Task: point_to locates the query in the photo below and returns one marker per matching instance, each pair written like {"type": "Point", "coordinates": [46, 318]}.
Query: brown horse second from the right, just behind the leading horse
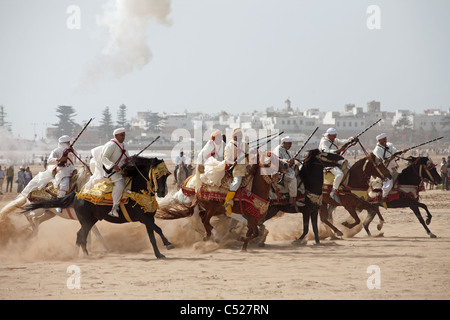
{"type": "Point", "coordinates": [358, 182]}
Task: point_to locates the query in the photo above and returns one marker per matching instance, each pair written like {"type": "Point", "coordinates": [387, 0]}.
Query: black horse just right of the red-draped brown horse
{"type": "Point", "coordinates": [311, 174]}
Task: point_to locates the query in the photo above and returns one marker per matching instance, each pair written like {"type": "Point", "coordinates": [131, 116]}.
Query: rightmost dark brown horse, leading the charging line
{"type": "Point", "coordinates": [405, 192]}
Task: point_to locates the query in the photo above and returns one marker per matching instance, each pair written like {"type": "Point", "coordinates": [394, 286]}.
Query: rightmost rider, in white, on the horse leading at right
{"type": "Point", "coordinates": [386, 151]}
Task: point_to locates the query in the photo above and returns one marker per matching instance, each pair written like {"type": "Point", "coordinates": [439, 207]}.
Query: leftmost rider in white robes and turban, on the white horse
{"type": "Point", "coordinates": [63, 160]}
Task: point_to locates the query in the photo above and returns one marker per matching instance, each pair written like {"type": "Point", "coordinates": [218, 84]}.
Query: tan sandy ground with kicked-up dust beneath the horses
{"type": "Point", "coordinates": [402, 263]}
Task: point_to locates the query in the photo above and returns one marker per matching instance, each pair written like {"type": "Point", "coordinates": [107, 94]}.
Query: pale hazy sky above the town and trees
{"type": "Point", "coordinates": [233, 55]}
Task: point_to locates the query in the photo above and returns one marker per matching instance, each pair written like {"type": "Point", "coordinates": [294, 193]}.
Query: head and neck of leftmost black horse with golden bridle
{"type": "Point", "coordinates": [148, 174]}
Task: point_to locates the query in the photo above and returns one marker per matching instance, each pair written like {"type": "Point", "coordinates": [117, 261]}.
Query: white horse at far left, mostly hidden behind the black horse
{"type": "Point", "coordinates": [36, 217]}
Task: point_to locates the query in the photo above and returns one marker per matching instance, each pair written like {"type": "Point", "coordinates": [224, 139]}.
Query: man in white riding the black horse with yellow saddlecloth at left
{"type": "Point", "coordinates": [113, 157]}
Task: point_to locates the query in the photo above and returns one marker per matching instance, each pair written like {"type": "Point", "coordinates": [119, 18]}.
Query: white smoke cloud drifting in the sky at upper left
{"type": "Point", "coordinates": [126, 49]}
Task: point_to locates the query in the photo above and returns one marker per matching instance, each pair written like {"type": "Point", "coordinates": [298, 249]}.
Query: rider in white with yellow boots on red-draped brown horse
{"type": "Point", "coordinates": [235, 154]}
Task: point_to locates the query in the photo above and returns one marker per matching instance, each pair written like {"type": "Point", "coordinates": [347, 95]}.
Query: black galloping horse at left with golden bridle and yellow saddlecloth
{"type": "Point", "coordinates": [149, 174]}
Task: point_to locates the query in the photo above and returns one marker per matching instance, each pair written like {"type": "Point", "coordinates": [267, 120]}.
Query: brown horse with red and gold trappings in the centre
{"type": "Point", "coordinates": [251, 204]}
